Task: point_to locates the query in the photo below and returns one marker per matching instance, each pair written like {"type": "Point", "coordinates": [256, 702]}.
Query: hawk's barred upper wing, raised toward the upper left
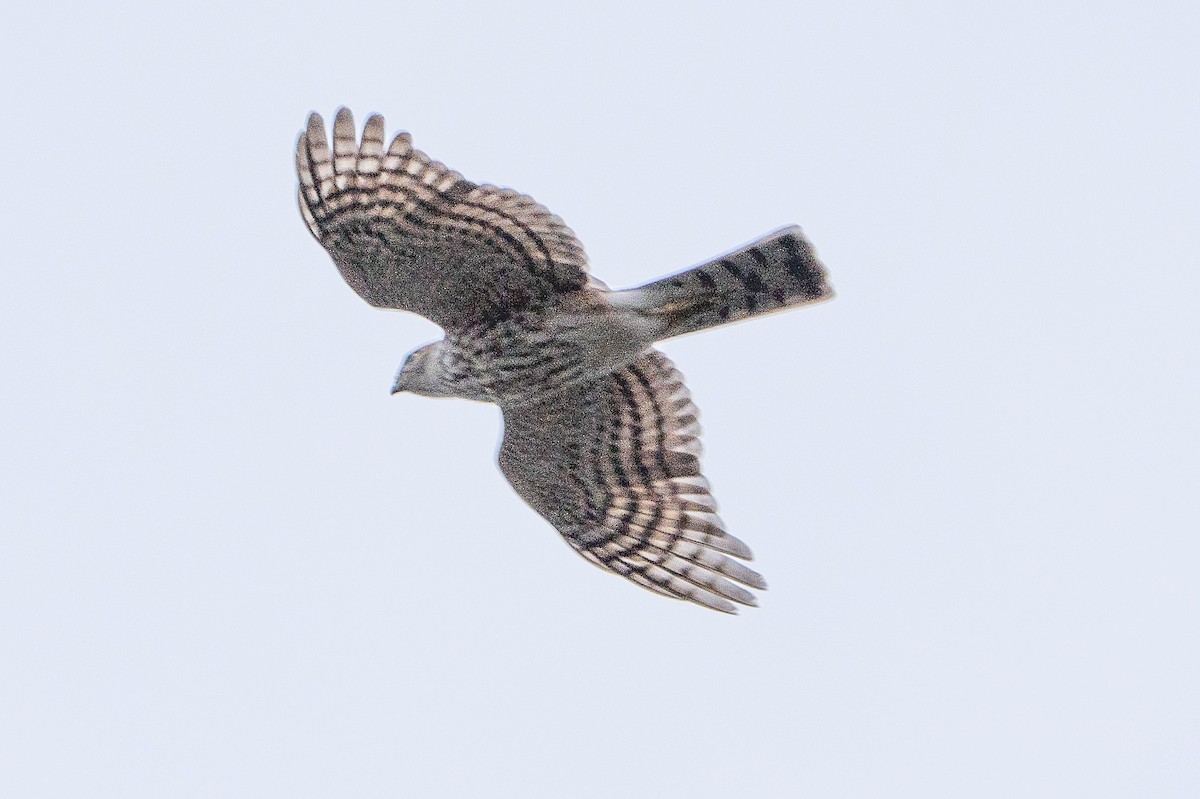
{"type": "Point", "coordinates": [409, 233]}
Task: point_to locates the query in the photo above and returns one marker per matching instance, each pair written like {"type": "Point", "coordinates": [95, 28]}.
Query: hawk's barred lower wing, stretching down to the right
{"type": "Point", "coordinates": [615, 466]}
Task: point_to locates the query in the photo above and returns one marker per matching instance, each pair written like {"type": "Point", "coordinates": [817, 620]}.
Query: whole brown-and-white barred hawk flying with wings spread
{"type": "Point", "coordinates": [601, 434]}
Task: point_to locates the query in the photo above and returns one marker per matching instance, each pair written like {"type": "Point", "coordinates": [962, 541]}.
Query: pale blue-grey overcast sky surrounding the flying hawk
{"type": "Point", "coordinates": [233, 566]}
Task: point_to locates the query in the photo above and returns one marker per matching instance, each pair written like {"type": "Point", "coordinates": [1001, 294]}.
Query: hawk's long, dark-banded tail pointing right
{"type": "Point", "coordinates": [778, 272]}
